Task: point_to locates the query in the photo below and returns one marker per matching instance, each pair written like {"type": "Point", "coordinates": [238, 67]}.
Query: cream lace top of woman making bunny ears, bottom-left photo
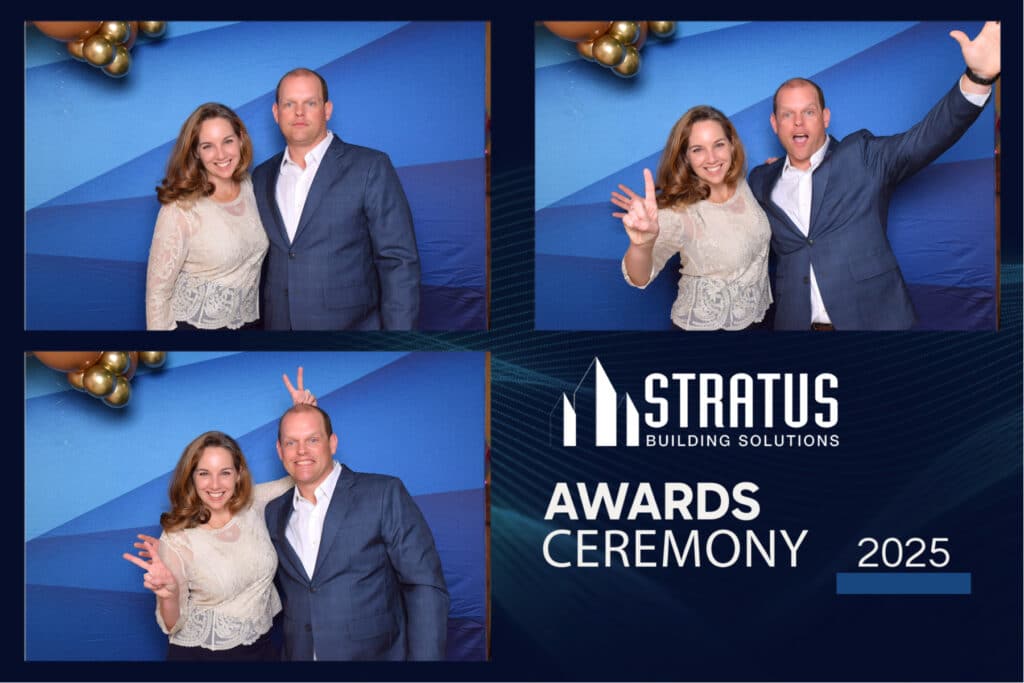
{"type": "Point", "coordinates": [226, 578]}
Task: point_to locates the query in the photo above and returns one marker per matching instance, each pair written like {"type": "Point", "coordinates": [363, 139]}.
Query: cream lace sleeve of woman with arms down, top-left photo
{"type": "Point", "coordinates": [167, 253]}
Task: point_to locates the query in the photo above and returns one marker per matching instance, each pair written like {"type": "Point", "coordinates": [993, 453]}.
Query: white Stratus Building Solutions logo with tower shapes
{"type": "Point", "coordinates": [706, 410]}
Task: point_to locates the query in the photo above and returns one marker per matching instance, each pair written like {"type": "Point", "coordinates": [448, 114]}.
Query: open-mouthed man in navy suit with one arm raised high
{"type": "Point", "coordinates": [828, 200]}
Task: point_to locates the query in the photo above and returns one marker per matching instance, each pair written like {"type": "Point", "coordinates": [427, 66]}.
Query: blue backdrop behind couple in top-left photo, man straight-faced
{"type": "Point", "coordinates": [98, 148]}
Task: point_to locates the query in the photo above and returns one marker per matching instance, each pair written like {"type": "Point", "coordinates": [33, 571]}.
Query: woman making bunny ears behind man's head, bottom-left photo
{"type": "Point", "coordinates": [212, 570]}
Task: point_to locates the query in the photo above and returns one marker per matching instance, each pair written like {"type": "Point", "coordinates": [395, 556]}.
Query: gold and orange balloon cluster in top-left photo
{"type": "Point", "coordinates": [103, 45]}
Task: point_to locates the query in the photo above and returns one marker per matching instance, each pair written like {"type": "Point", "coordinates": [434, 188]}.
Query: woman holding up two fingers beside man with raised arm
{"type": "Point", "coordinates": [702, 209]}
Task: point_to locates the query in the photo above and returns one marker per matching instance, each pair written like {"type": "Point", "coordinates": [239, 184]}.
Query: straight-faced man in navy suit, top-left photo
{"type": "Point", "coordinates": [344, 253]}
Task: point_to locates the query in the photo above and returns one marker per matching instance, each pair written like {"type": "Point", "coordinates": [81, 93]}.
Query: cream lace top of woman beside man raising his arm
{"type": "Point", "coordinates": [723, 249]}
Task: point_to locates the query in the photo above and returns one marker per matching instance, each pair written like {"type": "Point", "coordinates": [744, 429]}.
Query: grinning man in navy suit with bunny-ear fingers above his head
{"type": "Point", "coordinates": [359, 572]}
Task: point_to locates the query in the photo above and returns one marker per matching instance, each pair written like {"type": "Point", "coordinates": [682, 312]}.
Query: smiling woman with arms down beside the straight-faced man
{"type": "Point", "coordinates": [208, 245]}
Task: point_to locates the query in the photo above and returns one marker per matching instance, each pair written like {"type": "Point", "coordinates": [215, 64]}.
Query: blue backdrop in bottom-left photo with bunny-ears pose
{"type": "Point", "coordinates": [105, 475]}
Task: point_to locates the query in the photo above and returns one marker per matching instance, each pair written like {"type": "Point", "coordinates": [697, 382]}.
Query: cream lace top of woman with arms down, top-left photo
{"type": "Point", "coordinates": [205, 264]}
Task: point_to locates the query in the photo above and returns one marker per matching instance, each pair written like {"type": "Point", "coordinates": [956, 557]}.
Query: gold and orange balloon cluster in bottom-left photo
{"type": "Point", "coordinates": [105, 375]}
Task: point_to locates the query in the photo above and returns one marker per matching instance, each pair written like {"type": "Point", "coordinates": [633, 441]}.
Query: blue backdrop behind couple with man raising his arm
{"type": "Point", "coordinates": [594, 131]}
